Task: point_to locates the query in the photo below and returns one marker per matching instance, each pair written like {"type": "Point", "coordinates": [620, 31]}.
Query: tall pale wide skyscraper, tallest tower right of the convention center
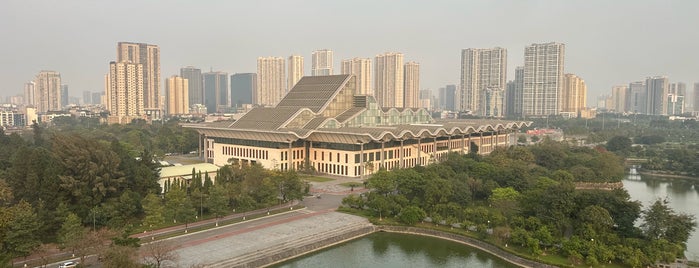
{"type": "Point", "coordinates": [543, 79]}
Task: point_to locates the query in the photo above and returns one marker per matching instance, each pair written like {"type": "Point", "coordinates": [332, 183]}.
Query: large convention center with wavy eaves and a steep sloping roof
{"type": "Point", "coordinates": [323, 125]}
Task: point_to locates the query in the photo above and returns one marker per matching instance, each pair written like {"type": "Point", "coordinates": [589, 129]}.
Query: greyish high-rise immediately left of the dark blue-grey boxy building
{"type": "Point", "coordinates": [216, 92]}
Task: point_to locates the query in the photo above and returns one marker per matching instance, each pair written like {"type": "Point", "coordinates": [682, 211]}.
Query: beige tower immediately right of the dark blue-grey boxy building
{"type": "Point", "coordinates": [270, 81]}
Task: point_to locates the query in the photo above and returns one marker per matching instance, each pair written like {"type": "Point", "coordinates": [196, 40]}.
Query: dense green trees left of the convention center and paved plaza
{"type": "Point", "coordinates": [78, 184]}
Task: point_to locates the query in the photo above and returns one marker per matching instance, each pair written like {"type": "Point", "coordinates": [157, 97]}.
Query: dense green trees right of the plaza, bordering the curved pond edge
{"type": "Point", "coordinates": [526, 196]}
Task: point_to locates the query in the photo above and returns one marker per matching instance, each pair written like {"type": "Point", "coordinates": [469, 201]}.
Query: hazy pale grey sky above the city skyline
{"type": "Point", "coordinates": [607, 42]}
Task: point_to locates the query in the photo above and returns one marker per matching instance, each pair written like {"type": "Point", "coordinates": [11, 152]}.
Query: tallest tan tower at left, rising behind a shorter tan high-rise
{"type": "Point", "coordinates": [149, 56]}
